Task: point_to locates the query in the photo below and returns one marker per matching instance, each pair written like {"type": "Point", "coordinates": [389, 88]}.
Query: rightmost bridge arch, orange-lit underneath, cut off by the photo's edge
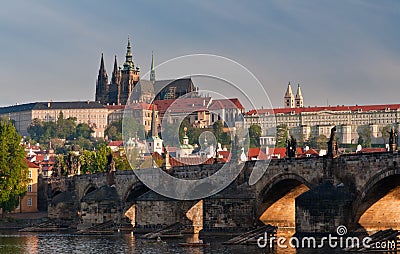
{"type": "Point", "coordinates": [378, 203]}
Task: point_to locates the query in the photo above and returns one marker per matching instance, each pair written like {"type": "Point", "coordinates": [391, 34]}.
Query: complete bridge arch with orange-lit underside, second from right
{"type": "Point", "coordinates": [276, 201]}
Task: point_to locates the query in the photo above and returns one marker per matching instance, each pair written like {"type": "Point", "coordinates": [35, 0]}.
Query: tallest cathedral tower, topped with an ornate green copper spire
{"type": "Point", "coordinates": [129, 76]}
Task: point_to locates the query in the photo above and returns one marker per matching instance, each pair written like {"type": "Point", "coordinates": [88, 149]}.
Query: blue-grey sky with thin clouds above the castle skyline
{"type": "Point", "coordinates": [341, 52]}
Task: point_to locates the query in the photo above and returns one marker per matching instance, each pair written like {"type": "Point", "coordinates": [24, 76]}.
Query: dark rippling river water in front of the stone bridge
{"type": "Point", "coordinates": [42, 243]}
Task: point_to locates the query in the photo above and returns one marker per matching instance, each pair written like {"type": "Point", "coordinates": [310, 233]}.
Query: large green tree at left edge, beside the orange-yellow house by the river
{"type": "Point", "coordinates": [13, 168]}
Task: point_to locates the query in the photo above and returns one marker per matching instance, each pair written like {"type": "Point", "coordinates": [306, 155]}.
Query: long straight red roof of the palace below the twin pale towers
{"type": "Point", "coordinates": [324, 108]}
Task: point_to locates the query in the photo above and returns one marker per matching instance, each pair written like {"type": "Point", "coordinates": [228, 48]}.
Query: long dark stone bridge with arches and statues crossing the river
{"type": "Point", "coordinates": [310, 194]}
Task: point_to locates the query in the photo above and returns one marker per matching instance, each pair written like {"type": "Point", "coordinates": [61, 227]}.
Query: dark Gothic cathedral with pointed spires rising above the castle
{"type": "Point", "coordinates": [125, 80]}
